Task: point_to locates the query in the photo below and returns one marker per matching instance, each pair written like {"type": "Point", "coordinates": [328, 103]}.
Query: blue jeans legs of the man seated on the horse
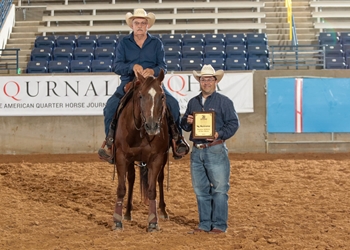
{"type": "Point", "coordinates": [113, 103]}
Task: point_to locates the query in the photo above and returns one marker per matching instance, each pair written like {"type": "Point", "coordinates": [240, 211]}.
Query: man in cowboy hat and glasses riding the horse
{"type": "Point", "coordinates": [140, 53]}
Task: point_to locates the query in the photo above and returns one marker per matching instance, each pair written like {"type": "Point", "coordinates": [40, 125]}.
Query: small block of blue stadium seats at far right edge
{"type": "Point", "coordinates": [337, 51]}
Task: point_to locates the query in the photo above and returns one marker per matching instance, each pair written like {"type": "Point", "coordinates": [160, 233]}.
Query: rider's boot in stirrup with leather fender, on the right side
{"type": "Point", "coordinates": [178, 143]}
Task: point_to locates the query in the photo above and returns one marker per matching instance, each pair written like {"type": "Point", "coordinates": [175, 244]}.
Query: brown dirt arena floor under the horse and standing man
{"type": "Point", "coordinates": [276, 201]}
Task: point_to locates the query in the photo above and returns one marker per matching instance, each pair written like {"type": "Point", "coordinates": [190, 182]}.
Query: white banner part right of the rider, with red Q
{"type": "Point", "coordinates": [237, 86]}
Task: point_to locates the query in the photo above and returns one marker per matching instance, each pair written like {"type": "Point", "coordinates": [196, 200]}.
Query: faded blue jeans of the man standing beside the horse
{"type": "Point", "coordinates": [210, 173]}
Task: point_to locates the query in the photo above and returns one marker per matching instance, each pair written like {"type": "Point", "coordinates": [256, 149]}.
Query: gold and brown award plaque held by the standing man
{"type": "Point", "coordinates": [203, 126]}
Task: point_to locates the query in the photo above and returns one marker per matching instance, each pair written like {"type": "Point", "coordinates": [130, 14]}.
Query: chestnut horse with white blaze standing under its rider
{"type": "Point", "coordinates": [142, 135]}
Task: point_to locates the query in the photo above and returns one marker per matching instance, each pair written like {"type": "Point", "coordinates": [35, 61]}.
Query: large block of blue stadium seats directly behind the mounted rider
{"type": "Point", "coordinates": [187, 52]}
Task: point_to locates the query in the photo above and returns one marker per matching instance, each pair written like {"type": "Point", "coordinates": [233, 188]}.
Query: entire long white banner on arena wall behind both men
{"type": "Point", "coordinates": [52, 95]}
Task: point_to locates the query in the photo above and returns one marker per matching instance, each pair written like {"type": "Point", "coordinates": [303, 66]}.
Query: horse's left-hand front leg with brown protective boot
{"type": "Point", "coordinates": [118, 209]}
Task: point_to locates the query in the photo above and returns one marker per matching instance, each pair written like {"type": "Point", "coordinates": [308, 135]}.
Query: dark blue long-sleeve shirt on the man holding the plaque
{"type": "Point", "coordinates": [226, 118]}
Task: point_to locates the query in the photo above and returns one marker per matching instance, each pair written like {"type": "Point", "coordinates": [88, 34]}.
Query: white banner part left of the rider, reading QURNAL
{"type": "Point", "coordinates": [55, 95]}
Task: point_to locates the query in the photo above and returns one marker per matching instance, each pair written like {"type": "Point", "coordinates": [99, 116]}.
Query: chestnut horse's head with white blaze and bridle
{"type": "Point", "coordinates": [152, 103]}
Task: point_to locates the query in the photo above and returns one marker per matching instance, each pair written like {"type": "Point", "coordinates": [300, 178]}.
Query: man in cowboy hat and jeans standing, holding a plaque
{"type": "Point", "coordinates": [211, 118]}
